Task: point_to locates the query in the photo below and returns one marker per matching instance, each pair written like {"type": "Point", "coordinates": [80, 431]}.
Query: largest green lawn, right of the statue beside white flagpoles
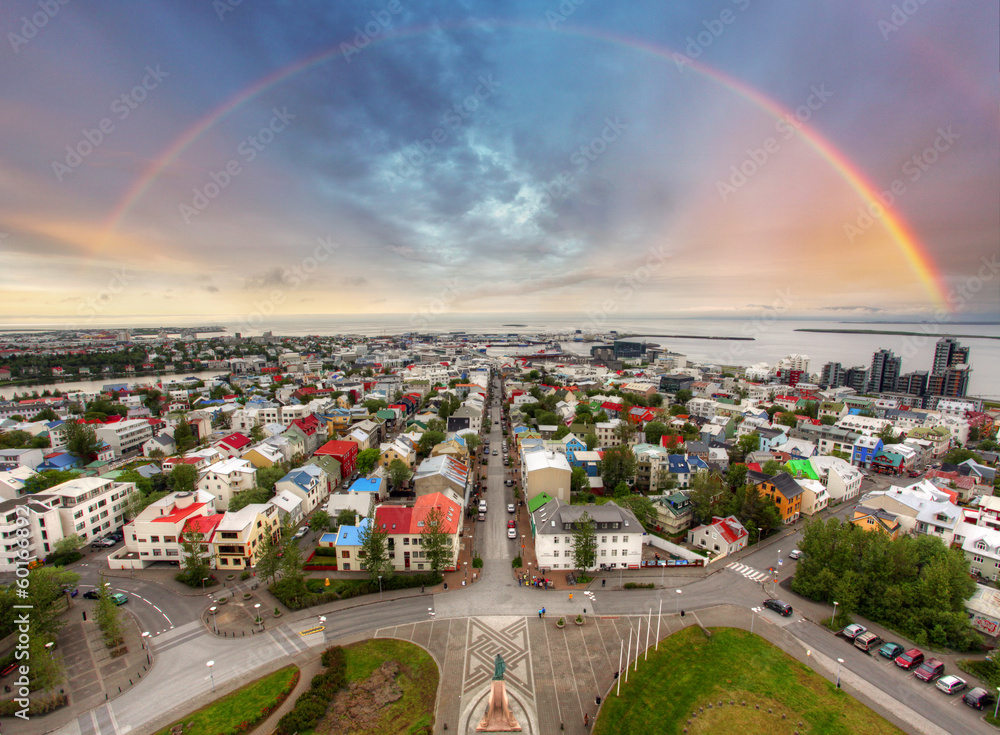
{"type": "Point", "coordinates": [690, 671]}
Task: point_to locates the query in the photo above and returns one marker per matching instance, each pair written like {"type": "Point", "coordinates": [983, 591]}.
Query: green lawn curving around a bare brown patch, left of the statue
{"type": "Point", "coordinates": [418, 679]}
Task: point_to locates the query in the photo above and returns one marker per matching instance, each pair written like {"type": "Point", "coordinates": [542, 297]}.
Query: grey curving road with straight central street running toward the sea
{"type": "Point", "coordinates": [180, 679]}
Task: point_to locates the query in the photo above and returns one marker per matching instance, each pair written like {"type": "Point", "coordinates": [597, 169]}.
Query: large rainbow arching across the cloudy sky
{"type": "Point", "coordinates": [908, 244]}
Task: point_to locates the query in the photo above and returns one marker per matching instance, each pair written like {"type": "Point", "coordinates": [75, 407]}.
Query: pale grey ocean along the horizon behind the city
{"type": "Point", "coordinates": [772, 337]}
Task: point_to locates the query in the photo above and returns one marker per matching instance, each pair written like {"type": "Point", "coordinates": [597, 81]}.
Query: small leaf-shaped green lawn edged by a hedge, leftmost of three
{"type": "Point", "coordinates": [238, 711]}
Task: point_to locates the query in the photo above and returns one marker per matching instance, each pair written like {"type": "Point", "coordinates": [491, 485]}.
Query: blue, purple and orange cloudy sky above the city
{"type": "Point", "coordinates": [170, 159]}
